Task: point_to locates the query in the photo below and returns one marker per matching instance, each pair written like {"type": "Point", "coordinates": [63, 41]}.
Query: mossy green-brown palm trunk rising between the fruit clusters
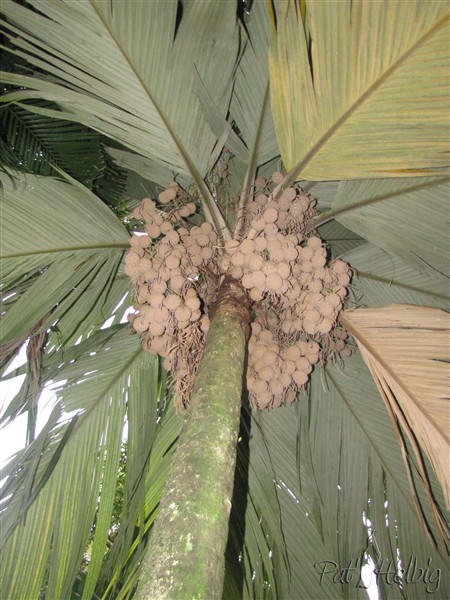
{"type": "Point", "coordinates": [186, 555]}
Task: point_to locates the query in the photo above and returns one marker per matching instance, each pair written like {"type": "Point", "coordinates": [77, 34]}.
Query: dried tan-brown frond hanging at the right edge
{"type": "Point", "coordinates": [406, 350]}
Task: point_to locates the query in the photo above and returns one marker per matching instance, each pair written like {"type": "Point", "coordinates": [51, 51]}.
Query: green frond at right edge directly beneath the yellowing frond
{"type": "Point", "coordinates": [407, 217]}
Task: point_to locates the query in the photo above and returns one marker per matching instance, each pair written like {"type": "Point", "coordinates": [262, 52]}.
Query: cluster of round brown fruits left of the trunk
{"type": "Point", "coordinates": [171, 268]}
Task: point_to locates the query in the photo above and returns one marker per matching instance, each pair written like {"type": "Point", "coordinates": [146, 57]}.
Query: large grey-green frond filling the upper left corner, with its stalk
{"type": "Point", "coordinates": [154, 109]}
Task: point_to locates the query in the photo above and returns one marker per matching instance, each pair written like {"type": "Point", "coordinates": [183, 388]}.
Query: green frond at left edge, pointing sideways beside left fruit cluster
{"type": "Point", "coordinates": [68, 249]}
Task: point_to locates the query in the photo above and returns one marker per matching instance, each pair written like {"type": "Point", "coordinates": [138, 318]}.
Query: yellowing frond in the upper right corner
{"type": "Point", "coordinates": [360, 89]}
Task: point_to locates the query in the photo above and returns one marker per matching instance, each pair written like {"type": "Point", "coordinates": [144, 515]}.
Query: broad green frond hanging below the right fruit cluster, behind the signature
{"type": "Point", "coordinates": [336, 459]}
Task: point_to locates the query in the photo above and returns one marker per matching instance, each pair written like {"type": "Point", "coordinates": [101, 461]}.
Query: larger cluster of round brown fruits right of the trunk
{"type": "Point", "coordinates": [297, 296]}
